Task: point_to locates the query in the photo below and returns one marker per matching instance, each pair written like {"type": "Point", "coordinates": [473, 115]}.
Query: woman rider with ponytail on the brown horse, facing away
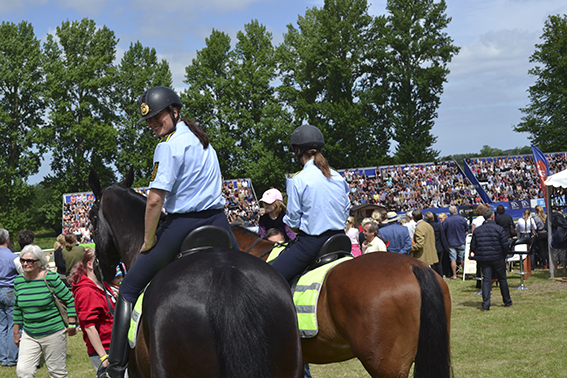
{"type": "Point", "coordinates": [317, 205]}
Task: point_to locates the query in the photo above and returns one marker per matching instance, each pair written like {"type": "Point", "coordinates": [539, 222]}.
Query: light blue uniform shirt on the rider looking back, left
{"type": "Point", "coordinates": [190, 174]}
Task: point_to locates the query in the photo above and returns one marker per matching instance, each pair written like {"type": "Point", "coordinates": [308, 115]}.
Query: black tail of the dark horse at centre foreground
{"type": "Point", "coordinates": [239, 325]}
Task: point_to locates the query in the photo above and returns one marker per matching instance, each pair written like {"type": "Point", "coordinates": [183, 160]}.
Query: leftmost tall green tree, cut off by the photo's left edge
{"type": "Point", "coordinates": [21, 110]}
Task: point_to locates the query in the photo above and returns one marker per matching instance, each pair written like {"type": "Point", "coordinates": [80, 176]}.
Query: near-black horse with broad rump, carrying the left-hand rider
{"type": "Point", "coordinates": [213, 313]}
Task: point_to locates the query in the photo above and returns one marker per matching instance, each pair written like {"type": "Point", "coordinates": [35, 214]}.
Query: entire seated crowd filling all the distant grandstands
{"type": "Point", "coordinates": [399, 188]}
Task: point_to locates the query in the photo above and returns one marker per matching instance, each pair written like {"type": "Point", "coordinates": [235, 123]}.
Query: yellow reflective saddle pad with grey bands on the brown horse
{"type": "Point", "coordinates": [306, 295]}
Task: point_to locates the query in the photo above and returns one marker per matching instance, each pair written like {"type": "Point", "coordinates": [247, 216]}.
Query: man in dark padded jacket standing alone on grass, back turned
{"type": "Point", "coordinates": [489, 247]}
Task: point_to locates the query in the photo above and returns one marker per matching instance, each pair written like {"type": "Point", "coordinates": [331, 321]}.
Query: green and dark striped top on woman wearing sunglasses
{"type": "Point", "coordinates": [35, 308]}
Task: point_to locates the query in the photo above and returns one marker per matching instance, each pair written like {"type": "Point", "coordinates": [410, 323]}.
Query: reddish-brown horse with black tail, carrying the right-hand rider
{"type": "Point", "coordinates": [386, 309]}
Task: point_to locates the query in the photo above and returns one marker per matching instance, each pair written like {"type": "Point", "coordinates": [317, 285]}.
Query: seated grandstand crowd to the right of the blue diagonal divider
{"type": "Point", "coordinates": [511, 178]}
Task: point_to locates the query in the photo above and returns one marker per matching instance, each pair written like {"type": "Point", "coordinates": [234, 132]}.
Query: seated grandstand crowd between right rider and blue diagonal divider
{"type": "Point", "coordinates": [406, 187]}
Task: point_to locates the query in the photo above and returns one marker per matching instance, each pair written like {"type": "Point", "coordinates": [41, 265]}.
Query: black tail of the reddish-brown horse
{"type": "Point", "coordinates": [433, 359]}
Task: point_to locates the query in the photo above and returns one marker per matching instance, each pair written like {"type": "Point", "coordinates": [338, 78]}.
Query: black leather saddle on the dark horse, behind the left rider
{"type": "Point", "coordinates": [205, 237]}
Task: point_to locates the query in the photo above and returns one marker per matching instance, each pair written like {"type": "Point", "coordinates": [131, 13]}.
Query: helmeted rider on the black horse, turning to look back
{"type": "Point", "coordinates": [186, 172]}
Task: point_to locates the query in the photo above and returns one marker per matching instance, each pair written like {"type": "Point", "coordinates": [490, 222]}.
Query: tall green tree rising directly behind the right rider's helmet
{"type": "Point", "coordinates": [333, 74]}
